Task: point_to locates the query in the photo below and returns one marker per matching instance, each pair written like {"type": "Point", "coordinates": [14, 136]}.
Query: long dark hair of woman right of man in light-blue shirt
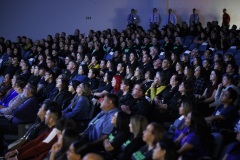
{"type": "Point", "coordinates": [123, 120]}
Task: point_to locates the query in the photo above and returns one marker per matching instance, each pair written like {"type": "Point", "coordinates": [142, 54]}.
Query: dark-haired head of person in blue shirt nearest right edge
{"type": "Point", "coordinates": [229, 96]}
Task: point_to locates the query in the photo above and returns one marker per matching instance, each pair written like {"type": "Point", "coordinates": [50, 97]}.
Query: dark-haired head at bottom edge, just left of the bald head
{"type": "Point", "coordinates": [77, 150]}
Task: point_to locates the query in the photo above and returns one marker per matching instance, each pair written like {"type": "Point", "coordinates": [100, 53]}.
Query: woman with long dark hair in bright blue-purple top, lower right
{"type": "Point", "coordinates": [197, 139]}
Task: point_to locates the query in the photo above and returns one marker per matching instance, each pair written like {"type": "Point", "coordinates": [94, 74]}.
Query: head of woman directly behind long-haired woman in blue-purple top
{"type": "Point", "coordinates": [186, 106]}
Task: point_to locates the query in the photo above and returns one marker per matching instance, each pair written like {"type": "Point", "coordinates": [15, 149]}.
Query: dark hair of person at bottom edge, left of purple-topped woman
{"type": "Point", "coordinates": [170, 148]}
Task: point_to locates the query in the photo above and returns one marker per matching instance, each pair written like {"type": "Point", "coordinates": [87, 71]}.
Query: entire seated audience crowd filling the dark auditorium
{"type": "Point", "coordinates": [132, 94]}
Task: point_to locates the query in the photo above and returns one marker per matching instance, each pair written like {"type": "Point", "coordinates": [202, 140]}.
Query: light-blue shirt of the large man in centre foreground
{"type": "Point", "coordinates": [100, 125]}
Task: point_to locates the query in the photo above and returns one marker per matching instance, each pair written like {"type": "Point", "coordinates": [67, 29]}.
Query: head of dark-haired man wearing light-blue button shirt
{"type": "Point", "coordinates": [109, 102]}
